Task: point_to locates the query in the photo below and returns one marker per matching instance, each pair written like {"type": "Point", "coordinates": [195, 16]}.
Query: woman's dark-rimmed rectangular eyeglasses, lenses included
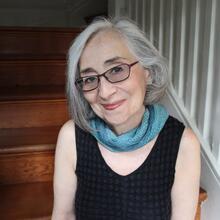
{"type": "Point", "coordinates": [116, 74]}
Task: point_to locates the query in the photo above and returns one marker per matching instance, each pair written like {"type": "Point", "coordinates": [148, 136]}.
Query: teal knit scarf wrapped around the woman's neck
{"type": "Point", "coordinates": [153, 121]}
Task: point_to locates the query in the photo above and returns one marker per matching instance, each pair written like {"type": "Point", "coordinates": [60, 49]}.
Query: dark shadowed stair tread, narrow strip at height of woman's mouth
{"type": "Point", "coordinates": [32, 93]}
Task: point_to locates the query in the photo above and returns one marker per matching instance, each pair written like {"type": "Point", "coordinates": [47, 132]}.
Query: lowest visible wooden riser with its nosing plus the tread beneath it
{"type": "Point", "coordinates": [26, 189]}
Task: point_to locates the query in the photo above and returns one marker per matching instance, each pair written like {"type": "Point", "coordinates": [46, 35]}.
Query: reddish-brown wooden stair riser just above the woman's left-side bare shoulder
{"type": "Point", "coordinates": [28, 114]}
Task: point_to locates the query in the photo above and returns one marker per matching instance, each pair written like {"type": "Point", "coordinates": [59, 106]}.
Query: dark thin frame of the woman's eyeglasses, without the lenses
{"type": "Point", "coordinates": [77, 82]}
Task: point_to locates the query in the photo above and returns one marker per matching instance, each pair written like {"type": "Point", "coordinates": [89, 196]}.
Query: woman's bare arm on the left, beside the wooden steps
{"type": "Point", "coordinates": [64, 175]}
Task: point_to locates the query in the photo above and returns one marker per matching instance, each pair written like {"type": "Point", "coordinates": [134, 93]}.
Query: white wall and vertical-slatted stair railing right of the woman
{"type": "Point", "coordinates": [187, 33]}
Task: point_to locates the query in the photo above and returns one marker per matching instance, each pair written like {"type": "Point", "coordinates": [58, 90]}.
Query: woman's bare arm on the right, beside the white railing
{"type": "Point", "coordinates": [185, 189]}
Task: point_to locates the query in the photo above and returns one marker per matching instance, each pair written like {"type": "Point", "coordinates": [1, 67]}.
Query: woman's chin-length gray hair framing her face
{"type": "Point", "coordinates": [140, 47]}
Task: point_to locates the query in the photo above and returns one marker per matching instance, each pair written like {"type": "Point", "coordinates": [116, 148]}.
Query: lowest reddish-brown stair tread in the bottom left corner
{"type": "Point", "coordinates": [26, 201]}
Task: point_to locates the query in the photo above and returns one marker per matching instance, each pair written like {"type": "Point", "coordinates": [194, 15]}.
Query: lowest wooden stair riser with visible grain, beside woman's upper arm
{"type": "Point", "coordinates": [26, 167]}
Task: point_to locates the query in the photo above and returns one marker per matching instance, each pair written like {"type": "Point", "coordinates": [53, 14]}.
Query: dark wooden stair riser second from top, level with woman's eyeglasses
{"type": "Point", "coordinates": [32, 73]}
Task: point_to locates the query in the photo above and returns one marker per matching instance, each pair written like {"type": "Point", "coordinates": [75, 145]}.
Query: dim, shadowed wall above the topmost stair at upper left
{"type": "Point", "coordinates": [49, 13]}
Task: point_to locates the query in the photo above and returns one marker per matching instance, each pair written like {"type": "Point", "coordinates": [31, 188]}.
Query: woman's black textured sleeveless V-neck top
{"type": "Point", "coordinates": [145, 194]}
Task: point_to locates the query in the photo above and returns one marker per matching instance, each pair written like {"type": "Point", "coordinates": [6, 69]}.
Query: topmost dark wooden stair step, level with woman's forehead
{"type": "Point", "coordinates": [35, 43]}
